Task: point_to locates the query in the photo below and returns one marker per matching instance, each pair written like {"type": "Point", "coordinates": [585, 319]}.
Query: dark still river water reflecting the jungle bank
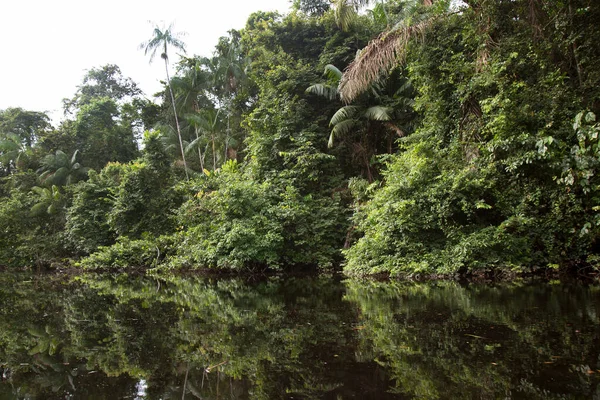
{"type": "Point", "coordinates": [296, 338]}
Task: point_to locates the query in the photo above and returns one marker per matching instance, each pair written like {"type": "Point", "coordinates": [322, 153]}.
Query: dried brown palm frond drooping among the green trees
{"type": "Point", "coordinates": [380, 56]}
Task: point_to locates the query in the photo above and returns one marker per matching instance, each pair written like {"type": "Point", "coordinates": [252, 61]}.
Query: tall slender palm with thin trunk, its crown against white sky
{"type": "Point", "coordinates": [162, 39]}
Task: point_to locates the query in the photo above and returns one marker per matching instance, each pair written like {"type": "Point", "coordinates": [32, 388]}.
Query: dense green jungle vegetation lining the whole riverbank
{"type": "Point", "coordinates": [401, 136]}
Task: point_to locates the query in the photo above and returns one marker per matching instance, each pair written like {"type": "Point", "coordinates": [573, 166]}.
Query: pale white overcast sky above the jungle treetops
{"type": "Point", "coordinates": [48, 45]}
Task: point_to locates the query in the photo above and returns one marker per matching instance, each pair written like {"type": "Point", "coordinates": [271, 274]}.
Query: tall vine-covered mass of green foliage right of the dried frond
{"type": "Point", "coordinates": [495, 177]}
